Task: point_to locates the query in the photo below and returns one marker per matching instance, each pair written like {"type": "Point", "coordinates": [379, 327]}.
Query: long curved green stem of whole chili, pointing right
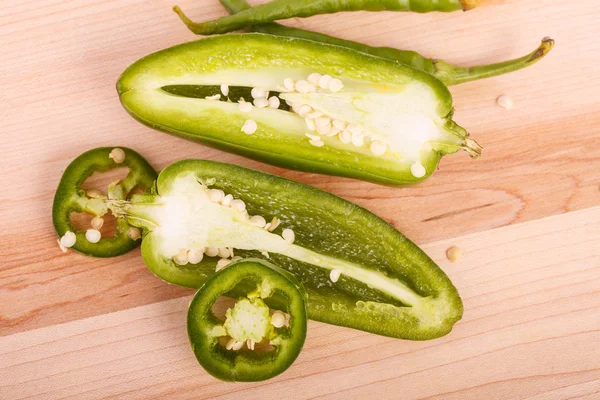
{"type": "Point", "coordinates": [453, 74]}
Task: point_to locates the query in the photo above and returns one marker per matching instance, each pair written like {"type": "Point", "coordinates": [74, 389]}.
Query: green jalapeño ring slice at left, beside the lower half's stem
{"type": "Point", "coordinates": [71, 198]}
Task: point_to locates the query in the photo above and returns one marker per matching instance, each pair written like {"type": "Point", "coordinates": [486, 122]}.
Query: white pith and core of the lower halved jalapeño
{"type": "Point", "coordinates": [186, 219]}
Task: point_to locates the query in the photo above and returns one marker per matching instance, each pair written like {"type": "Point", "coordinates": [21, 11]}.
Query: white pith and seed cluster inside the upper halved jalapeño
{"type": "Point", "coordinates": [388, 121]}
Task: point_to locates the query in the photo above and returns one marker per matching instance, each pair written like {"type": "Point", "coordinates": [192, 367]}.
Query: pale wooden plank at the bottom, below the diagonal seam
{"type": "Point", "coordinates": [531, 331]}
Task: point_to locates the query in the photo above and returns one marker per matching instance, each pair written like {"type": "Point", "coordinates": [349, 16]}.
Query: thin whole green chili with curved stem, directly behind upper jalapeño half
{"type": "Point", "coordinates": [448, 73]}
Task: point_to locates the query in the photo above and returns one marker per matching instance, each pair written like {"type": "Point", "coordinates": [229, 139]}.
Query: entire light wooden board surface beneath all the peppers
{"type": "Point", "coordinates": [525, 214]}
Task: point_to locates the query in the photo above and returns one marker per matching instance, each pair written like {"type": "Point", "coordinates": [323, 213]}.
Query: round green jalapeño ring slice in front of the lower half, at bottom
{"type": "Point", "coordinates": [235, 349]}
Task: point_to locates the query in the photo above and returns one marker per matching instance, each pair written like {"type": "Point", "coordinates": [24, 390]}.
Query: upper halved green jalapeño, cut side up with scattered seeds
{"type": "Point", "coordinates": [351, 114]}
